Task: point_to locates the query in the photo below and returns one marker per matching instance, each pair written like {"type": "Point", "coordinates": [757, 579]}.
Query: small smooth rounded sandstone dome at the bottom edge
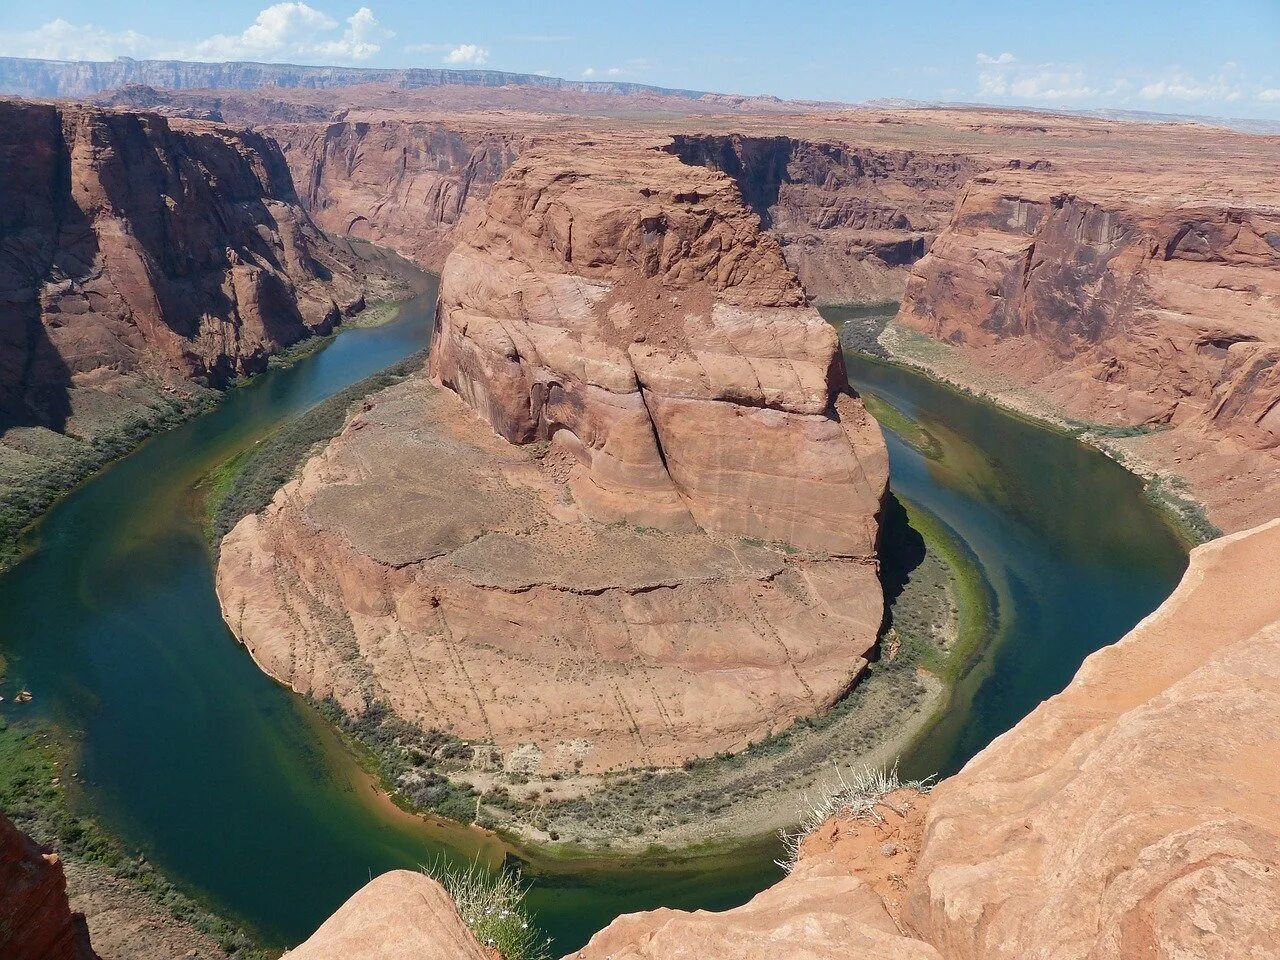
{"type": "Point", "coordinates": [401, 916]}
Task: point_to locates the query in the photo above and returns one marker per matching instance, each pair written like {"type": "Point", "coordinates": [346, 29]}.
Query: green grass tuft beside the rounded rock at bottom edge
{"type": "Point", "coordinates": [492, 906]}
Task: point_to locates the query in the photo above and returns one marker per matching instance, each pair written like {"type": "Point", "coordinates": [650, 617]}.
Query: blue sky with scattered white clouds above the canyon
{"type": "Point", "coordinates": [1218, 58]}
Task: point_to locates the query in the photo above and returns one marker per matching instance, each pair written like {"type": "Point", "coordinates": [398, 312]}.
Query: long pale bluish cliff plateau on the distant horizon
{"type": "Point", "coordinates": [77, 79]}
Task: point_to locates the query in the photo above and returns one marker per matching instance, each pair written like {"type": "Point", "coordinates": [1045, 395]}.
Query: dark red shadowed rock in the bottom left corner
{"type": "Point", "coordinates": [36, 922]}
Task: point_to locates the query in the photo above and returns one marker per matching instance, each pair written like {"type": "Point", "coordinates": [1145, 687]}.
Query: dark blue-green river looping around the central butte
{"type": "Point", "coordinates": [244, 796]}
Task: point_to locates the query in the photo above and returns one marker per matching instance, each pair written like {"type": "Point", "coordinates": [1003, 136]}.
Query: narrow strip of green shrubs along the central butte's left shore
{"type": "Point", "coordinates": [248, 483]}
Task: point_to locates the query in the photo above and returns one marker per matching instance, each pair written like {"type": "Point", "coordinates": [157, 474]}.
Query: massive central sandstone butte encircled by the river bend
{"type": "Point", "coordinates": [659, 540]}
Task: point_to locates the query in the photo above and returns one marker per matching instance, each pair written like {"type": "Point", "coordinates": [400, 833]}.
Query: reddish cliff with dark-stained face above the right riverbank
{"type": "Point", "coordinates": [1126, 303]}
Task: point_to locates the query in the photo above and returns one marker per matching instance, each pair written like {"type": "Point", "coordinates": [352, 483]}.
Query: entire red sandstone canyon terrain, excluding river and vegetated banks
{"type": "Point", "coordinates": [629, 516]}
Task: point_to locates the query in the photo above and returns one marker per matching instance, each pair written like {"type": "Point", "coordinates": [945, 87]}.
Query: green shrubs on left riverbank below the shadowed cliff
{"type": "Point", "coordinates": [39, 467]}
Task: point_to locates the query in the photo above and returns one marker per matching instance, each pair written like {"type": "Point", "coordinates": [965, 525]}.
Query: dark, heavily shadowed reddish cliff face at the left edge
{"type": "Point", "coordinates": [134, 246]}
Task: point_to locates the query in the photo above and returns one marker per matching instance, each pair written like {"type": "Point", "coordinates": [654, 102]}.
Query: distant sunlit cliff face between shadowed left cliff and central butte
{"type": "Point", "coordinates": [400, 184]}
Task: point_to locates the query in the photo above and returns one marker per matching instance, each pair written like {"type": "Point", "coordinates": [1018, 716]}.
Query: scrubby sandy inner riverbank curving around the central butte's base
{"type": "Point", "coordinates": [936, 620]}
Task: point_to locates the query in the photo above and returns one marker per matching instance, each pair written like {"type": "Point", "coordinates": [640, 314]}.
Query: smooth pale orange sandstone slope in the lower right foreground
{"type": "Point", "coordinates": [1133, 816]}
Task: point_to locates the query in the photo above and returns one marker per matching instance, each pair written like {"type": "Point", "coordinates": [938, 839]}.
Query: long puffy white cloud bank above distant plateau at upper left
{"type": "Point", "coordinates": [285, 31]}
